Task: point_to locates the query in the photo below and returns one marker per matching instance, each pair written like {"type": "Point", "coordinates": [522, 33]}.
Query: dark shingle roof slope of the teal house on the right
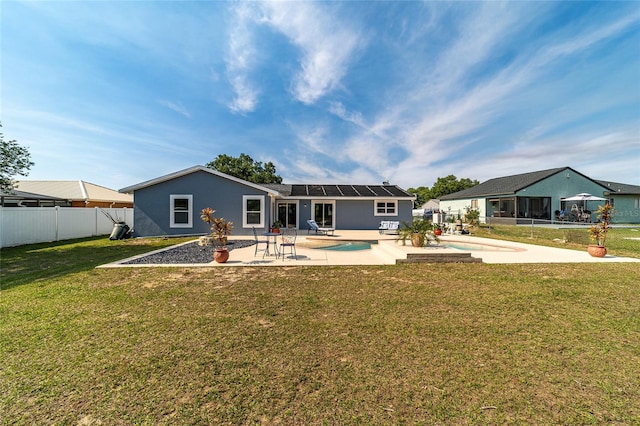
{"type": "Point", "coordinates": [504, 185]}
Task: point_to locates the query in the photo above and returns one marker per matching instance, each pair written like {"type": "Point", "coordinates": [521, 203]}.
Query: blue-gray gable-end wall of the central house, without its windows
{"type": "Point", "coordinates": [152, 205]}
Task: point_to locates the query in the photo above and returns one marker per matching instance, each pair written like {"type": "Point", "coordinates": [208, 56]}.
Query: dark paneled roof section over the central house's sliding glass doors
{"type": "Point", "coordinates": [339, 191]}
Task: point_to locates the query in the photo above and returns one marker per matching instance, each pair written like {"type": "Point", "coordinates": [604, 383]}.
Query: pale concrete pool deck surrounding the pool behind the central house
{"type": "Point", "coordinates": [388, 250]}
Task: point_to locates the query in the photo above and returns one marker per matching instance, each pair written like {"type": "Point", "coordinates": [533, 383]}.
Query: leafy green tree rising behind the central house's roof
{"type": "Point", "coordinates": [244, 167]}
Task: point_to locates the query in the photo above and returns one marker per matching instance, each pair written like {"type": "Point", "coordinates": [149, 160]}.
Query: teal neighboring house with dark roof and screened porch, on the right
{"type": "Point", "coordinates": [539, 195]}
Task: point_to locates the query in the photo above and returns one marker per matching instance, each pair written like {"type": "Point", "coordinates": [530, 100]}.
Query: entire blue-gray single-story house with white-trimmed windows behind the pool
{"type": "Point", "coordinates": [171, 204]}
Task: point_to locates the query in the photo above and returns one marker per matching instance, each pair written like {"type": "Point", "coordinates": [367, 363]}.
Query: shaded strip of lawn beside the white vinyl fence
{"type": "Point", "coordinates": [30, 263]}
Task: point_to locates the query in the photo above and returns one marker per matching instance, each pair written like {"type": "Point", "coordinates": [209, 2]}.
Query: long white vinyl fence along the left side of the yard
{"type": "Point", "coordinates": [28, 225]}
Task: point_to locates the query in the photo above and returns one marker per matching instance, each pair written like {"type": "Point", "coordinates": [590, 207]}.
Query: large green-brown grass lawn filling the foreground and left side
{"type": "Point", "coordinates": [405, 344]}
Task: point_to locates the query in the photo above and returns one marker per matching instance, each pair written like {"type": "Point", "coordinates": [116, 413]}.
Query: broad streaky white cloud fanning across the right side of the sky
{"type": "Point", "coordinates": [441, 123]}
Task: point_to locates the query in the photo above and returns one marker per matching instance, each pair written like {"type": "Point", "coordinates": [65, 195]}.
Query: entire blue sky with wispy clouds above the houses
{"type": "Point", "coordinates": [116, 93]}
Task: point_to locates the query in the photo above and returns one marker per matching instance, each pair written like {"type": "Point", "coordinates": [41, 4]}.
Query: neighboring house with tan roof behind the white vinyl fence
{"type": "Point", "coordinates": [77, 193]}
